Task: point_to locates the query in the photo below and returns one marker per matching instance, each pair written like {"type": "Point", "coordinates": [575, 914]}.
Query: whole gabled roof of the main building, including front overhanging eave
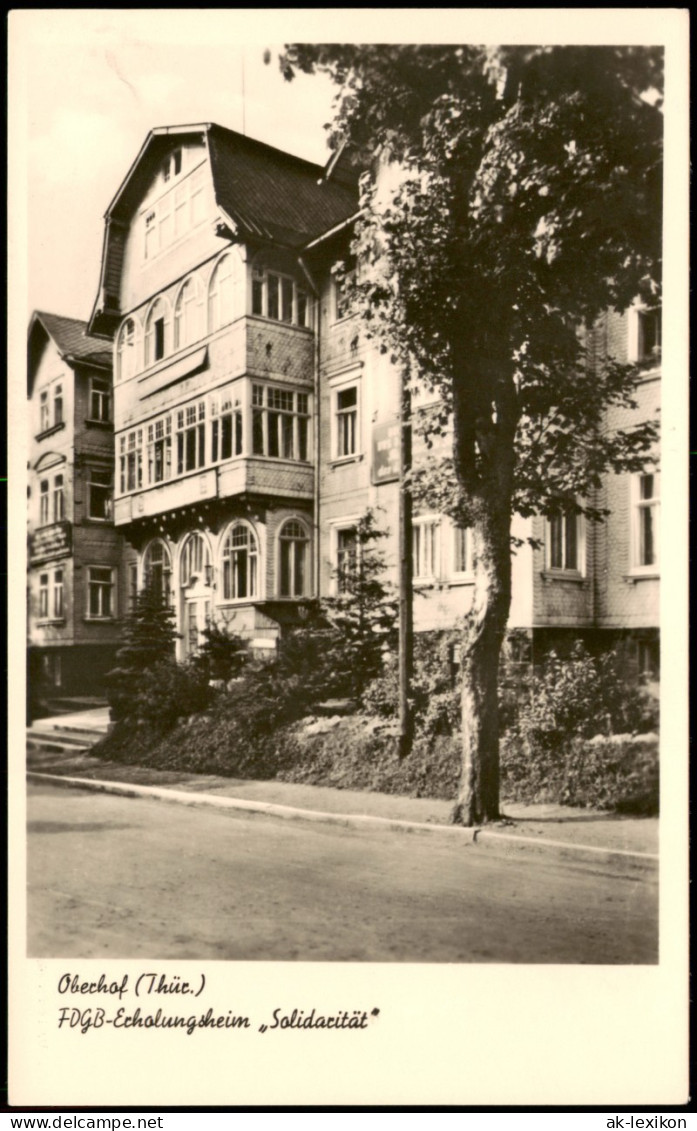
{"type": "Point", "coordinates": [264, 193]}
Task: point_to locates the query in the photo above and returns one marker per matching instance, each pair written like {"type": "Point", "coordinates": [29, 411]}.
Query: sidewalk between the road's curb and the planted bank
{"type": "Point", "coordinates": [523, 826]}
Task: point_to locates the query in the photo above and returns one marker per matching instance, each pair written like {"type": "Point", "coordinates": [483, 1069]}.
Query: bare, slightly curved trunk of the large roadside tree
{"type": "Point", "coordinates": [478, 800]}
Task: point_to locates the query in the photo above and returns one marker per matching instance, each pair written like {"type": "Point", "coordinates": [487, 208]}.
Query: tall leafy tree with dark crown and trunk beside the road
{"type": "Point", "coordinates": [512, 196]}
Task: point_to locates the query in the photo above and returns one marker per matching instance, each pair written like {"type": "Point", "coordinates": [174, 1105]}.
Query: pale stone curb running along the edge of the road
{"type": "Point", "coordinates": [485, 839]}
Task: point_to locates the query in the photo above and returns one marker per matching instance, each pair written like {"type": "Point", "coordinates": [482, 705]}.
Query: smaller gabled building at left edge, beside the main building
{"type": "Point", "coordinates": [74, 552]}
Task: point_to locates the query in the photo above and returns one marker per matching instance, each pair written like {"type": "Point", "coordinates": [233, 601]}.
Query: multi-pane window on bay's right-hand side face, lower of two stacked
{"type": "Point", "coordinates": [280, 424]}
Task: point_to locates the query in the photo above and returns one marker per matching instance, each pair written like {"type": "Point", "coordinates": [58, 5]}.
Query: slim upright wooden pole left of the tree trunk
{"type": "Point", "coordinates": [407, 573]}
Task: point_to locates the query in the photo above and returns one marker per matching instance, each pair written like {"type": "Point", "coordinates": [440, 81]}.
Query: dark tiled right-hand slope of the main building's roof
{"type": "Point", "coordinates": [273, 194]}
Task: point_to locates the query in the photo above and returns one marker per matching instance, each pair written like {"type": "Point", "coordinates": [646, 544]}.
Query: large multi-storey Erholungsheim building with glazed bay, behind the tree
{"type": "Point", "coordinates": [255, 425]}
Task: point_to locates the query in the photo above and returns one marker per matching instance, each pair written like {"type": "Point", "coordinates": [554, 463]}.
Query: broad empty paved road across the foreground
{"type": "Point", "coordinates": [124, 878]}
